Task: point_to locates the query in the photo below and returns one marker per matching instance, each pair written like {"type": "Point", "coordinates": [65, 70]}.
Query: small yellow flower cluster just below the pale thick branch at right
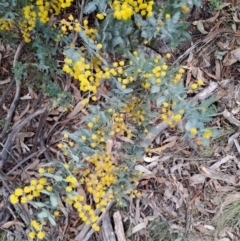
{"type": "Point", "coordinates": [168, 116]}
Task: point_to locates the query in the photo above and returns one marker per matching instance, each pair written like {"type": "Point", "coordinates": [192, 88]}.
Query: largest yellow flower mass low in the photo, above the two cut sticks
{"type": "Point", "coordinates": [98, 183]}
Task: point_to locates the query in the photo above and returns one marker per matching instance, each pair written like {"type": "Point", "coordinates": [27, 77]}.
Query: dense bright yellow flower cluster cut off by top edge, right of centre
{"type": "Point", "coordinates": [125, 9]}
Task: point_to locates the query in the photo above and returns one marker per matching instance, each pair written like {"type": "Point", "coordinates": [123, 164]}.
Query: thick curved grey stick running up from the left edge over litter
{"type": "Point", "coordinates": [12, 136]}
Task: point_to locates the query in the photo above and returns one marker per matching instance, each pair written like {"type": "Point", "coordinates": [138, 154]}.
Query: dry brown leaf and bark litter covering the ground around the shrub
{"type": "Point", "coordinates": [189, 192]}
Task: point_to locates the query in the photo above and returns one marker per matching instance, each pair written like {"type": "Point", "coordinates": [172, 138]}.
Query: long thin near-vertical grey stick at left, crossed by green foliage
{"type": "Point", "coordinates": [17, 94]}
